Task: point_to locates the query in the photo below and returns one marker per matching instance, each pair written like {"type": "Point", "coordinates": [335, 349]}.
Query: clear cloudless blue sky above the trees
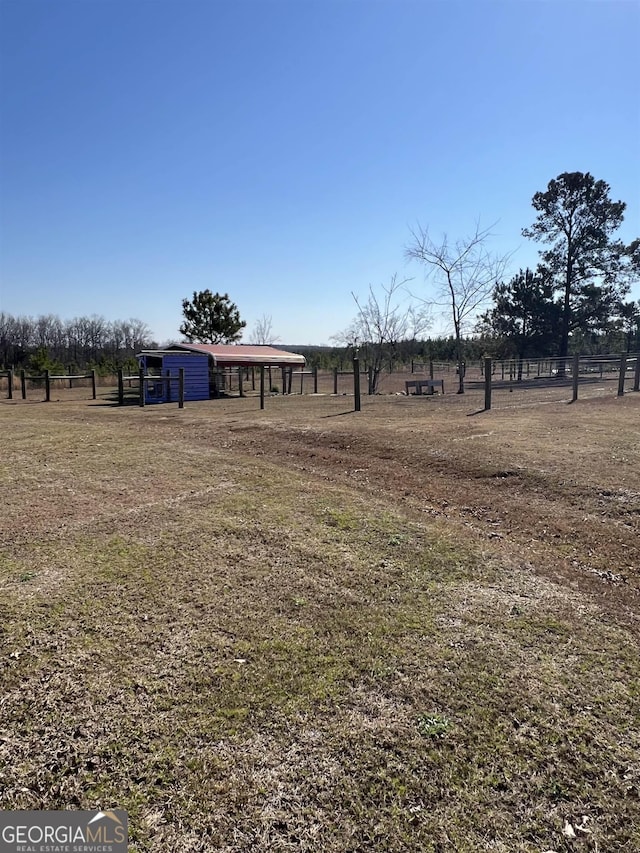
{"type": "Point", "coordinates": [280, 150]}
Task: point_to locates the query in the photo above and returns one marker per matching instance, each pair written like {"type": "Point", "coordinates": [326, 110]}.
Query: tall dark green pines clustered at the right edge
{"type": "Point", "coordinates": [576, 298]}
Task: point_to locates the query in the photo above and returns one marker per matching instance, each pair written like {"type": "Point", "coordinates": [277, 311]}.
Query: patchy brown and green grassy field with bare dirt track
{"type": "Point", "coordinates": [414, 628]}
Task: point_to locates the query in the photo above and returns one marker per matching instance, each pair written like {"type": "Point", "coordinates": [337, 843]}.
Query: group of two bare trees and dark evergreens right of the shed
{"type": "Point", "coordinates": [575, 299]}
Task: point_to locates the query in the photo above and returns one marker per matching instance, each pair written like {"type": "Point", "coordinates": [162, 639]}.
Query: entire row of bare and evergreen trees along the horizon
{"type": "Point", "coordinates": [574, 300]}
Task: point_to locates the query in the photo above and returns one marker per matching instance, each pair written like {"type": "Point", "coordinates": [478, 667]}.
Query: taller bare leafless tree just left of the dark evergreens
{"type": "Point", "coordinates": [464, 272]}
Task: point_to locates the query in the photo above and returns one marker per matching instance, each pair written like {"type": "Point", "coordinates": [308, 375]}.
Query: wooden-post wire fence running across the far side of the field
{"type": "Point", "coordinates": [513, 381]}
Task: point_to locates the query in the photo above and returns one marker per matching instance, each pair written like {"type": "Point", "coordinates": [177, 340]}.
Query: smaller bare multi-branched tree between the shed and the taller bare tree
{"type": "Point", "coordinates": [383, 320]}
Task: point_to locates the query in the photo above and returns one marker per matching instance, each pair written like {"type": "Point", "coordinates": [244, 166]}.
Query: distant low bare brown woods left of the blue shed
{"type": "Point", "coordinates": [48, 343]}
